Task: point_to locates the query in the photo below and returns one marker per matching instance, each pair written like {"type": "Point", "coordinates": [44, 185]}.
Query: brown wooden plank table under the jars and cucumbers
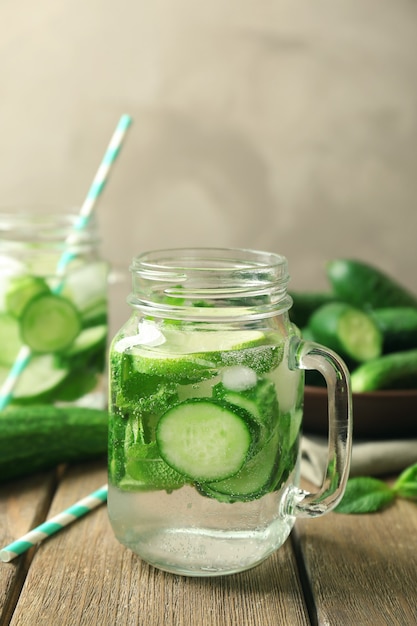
{"type": "Point", "coordinates": [338, 570]}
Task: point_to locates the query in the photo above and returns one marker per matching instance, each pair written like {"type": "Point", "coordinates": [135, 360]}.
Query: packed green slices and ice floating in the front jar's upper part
{"type": "Point", "coordinates": [206, 403]}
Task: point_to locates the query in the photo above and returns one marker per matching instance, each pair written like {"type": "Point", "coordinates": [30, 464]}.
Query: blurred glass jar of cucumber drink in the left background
{"type": "Point", "coordinates": [53, 310]}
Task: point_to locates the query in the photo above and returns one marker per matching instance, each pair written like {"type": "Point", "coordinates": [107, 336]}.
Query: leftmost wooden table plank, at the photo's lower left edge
{"type": "Point", "coordinates": [23, 505]}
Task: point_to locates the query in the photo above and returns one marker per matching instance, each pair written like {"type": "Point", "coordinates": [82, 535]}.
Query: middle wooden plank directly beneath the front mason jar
{"type": "Point", "coordinates": [84, 576]}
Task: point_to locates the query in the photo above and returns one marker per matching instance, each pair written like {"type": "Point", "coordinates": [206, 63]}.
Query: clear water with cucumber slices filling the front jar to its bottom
{"type": "Point", "coordinates": [199, 420]}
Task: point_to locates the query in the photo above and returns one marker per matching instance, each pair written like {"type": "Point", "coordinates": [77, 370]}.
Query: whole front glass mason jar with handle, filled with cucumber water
{"type": "Point", "coordinates": [206, 402]}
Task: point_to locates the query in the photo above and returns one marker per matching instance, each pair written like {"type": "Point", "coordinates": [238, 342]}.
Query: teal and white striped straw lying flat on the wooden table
{"type": "Point", "coordinates": [55, 524]}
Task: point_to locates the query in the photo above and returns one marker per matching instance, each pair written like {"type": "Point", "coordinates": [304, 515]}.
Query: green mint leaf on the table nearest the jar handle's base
{"type": "Point", "coordinates": [365, 495]}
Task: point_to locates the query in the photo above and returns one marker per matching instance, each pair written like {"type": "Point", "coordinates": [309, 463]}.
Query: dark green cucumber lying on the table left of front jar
{"type": "Point", "coordinates": [38, 438]}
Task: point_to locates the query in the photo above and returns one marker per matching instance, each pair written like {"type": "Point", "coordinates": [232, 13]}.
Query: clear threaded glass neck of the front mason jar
{"type": "Point", "coordinates": [207, 284]}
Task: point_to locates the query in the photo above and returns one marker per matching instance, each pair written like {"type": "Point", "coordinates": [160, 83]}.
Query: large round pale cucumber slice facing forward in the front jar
{"type": "Point", "coordinates": [205, 440]}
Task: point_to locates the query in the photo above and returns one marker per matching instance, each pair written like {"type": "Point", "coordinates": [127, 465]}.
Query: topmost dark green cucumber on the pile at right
{"type": "Point", "coordinates": [363, 285]}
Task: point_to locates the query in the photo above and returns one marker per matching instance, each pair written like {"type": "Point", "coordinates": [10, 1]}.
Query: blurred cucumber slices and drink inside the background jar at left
{"type": "Point", "coordinates": [63, 323]}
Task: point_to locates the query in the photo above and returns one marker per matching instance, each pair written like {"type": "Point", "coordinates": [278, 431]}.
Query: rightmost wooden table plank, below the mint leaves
{"type": "Point", "coordinates": [362, 569]}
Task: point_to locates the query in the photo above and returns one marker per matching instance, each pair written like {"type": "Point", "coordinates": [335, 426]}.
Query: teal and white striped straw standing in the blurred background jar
{"type": "Point", "coordinates": [96, 189]}
